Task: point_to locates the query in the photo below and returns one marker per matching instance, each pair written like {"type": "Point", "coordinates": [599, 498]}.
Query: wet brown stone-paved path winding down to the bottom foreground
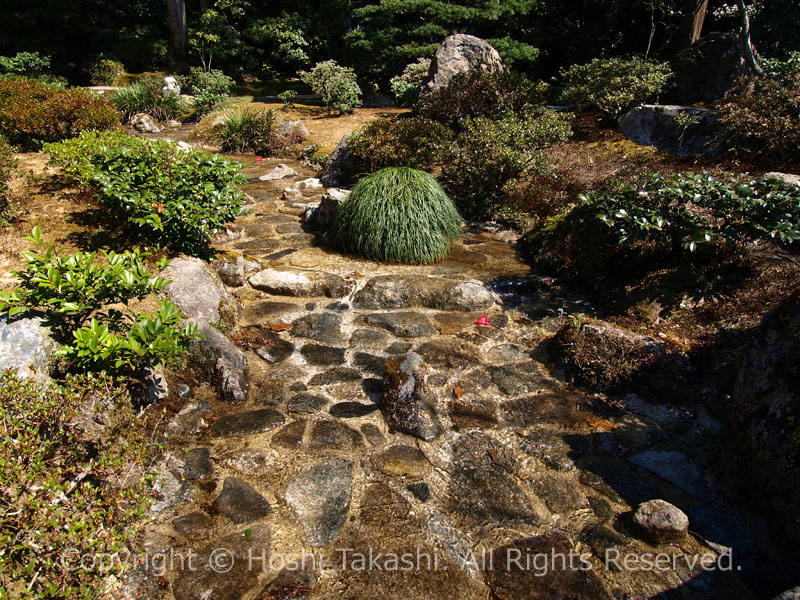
{"type": "Point", "coordinates": [520, 463]}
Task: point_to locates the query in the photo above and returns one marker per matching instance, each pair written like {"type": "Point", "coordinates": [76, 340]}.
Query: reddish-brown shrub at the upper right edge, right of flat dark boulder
{"type": "Point", "coordinates": [762, 119]}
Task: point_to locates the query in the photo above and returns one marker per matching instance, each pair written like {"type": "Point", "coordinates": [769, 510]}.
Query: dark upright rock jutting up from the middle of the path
{"type": "Point", "coordinates": [406, 401]}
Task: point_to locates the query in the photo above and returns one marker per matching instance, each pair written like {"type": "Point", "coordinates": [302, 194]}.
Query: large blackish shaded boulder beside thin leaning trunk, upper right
{"type": "Point", "coordinates": [708, 69]}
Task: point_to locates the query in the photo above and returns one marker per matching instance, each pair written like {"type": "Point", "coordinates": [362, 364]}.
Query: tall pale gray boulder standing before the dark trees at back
{"type": "Point", "coordinates": [461, 53]}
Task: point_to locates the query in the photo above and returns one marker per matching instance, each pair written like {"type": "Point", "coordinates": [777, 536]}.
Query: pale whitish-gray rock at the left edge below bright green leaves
{"type": "Point", "coordinates": [27, 346]}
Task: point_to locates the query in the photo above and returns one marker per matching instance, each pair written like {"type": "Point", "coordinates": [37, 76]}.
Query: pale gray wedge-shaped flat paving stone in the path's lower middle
{"type": "Point", "coordinates": [319, 498]}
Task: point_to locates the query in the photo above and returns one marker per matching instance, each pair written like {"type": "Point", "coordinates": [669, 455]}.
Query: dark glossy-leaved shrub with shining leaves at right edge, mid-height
{"type": "Point", "coordinates": [688, 209]}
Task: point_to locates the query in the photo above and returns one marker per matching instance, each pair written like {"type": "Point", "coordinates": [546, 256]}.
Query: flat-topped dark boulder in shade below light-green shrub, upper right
{"type": "Point", "coordinates": [660, 126]}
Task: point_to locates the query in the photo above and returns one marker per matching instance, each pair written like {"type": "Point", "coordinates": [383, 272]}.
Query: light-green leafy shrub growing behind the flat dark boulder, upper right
{"type": "Point", "coordinates": [614, 85]}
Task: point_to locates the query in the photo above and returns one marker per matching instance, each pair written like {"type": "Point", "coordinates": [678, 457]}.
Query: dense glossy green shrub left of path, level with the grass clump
{"type": "Point", "coordinates": [167, 194]}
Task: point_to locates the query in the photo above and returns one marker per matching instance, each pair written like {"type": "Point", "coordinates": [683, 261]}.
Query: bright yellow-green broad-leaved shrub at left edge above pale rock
{"type": "Point", "coordinates": [78, 293]}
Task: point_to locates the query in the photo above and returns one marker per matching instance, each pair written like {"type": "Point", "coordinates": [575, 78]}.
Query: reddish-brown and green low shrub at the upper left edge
{"type": "Point", "coordinates": [32, 113]}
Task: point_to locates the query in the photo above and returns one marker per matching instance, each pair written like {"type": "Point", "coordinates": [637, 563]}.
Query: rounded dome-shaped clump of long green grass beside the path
{"type": "Point", "coordinates": [397, 214]}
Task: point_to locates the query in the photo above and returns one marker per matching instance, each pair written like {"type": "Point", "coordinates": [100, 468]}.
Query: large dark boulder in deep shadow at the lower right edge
{"type": "Point", "coordinates": [766, 405]}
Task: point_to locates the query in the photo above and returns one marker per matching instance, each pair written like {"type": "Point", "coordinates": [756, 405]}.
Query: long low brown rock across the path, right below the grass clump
{"type": "Point", "coordinates": [391, 291]}
